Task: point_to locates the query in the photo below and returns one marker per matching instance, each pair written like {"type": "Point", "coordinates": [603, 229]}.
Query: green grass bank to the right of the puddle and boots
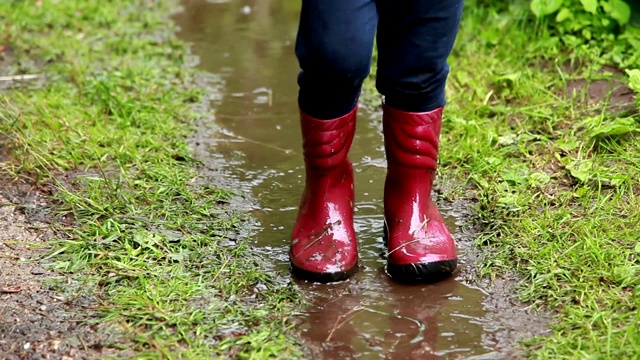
{"type": "Point", "coordinates": [551, 149]}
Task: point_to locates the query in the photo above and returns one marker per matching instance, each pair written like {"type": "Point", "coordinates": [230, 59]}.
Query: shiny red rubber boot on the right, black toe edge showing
{"type": "Point", "coordinates": [420, 247]}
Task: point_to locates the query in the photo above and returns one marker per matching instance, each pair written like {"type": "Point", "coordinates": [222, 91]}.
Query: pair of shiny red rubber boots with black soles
{"type": "Point", "coordinates": [324, 245]}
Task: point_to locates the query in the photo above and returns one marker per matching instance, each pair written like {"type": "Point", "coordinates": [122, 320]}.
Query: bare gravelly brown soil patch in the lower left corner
{"type": "Point", "coordinates": [43, 315]}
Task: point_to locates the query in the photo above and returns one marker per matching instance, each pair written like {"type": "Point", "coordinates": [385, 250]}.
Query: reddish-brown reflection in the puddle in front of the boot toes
{"type": "Point", "coordinates": [372, 316]}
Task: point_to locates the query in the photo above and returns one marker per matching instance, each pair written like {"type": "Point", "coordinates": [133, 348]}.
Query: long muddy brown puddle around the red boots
{"type": "Point", "coordinates": [253, 142]}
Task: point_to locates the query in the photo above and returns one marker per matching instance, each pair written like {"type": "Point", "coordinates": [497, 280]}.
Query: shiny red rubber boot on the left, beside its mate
{"type": "Point", "coordinates": [323, 246]}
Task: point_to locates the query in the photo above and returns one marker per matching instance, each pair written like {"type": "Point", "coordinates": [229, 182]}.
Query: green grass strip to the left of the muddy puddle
{"type": "Point", "coordinates": [105, 122]}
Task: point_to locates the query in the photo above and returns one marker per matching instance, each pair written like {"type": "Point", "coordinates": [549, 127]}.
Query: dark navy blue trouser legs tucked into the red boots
{"type": "Point", "coordinates": [335, 44]}
